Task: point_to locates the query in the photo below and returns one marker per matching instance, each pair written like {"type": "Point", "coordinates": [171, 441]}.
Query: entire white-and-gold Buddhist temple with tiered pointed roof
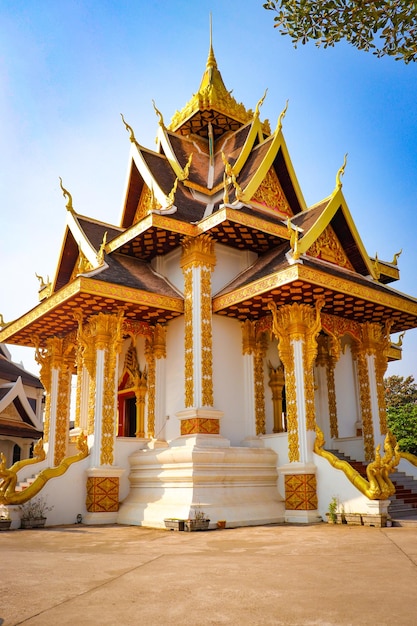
{"type": "Point", "coordinates": [226, 342]}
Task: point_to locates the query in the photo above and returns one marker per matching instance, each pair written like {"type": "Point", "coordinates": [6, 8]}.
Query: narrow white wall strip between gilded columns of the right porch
{"type": "Point", "coordinates": [346, 398]}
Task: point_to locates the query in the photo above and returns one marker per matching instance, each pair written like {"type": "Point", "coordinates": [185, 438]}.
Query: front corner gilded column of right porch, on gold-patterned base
{"type": "Point", "coordinates": [296, 327]}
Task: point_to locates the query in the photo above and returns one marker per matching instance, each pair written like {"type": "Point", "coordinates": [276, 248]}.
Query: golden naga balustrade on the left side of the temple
{"type": "Point", "coordinates": [8, 476]}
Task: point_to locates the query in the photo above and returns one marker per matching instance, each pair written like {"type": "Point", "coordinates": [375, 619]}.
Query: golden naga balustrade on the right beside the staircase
{"type": "Point", "coordinates": [378, 486]}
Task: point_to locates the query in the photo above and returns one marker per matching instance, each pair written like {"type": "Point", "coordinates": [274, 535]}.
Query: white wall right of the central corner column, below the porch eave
{"type": "Point", "coordinates": [228, 378]}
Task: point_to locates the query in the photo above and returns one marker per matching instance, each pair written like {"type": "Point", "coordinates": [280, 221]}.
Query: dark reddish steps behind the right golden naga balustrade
{"type": "Point", "coordinates": [403, 507]}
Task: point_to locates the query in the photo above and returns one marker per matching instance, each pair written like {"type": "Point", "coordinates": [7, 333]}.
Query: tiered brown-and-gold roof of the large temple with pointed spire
{"type": "Point", "coordinates": [217, 170]}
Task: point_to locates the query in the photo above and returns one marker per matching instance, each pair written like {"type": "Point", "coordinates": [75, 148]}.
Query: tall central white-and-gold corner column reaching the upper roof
{"type": "Point", "coordinates": [198, 262]}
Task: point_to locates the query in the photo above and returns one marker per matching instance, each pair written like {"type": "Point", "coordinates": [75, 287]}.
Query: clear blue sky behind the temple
{"type": "Point", "coordinates": [69, 68]}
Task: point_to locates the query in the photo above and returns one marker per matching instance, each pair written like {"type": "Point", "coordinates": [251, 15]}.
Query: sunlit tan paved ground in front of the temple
{"type": "Point", "coordinates": [282, 575]}
